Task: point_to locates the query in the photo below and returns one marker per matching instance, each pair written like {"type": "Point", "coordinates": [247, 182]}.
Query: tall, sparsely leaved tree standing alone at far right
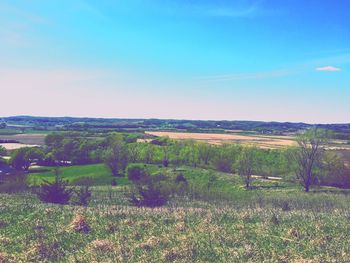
{"type": "Point", "coordinates": [309, 155]}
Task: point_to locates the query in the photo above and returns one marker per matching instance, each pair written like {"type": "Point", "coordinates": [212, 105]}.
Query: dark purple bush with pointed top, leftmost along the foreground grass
{"type": "Point", "coordinates": [56, 192]}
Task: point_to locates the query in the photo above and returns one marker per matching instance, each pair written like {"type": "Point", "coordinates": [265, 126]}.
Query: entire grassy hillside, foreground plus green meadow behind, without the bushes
{"type": "Point", "coordinates": [274, 222]}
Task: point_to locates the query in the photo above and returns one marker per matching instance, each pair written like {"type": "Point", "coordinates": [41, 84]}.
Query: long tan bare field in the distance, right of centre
{"type": "Point", "coordinates": [263, 141]}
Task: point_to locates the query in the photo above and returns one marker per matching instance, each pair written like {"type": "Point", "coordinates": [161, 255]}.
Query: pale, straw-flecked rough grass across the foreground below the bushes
{"type": "Point", "coordinates": [34, 232]}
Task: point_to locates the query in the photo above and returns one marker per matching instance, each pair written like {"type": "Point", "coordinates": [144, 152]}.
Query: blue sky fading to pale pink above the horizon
{"type": "Point", "coordinates": [267, 60]}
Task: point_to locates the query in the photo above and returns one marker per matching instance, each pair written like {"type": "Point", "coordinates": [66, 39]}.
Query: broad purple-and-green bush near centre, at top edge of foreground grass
{"type": "Point", "coordinates": [153, 191]}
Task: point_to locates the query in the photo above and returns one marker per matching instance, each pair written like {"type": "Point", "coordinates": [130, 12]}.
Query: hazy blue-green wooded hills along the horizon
{"type": "Point", "coordinates": [341, 131]}
